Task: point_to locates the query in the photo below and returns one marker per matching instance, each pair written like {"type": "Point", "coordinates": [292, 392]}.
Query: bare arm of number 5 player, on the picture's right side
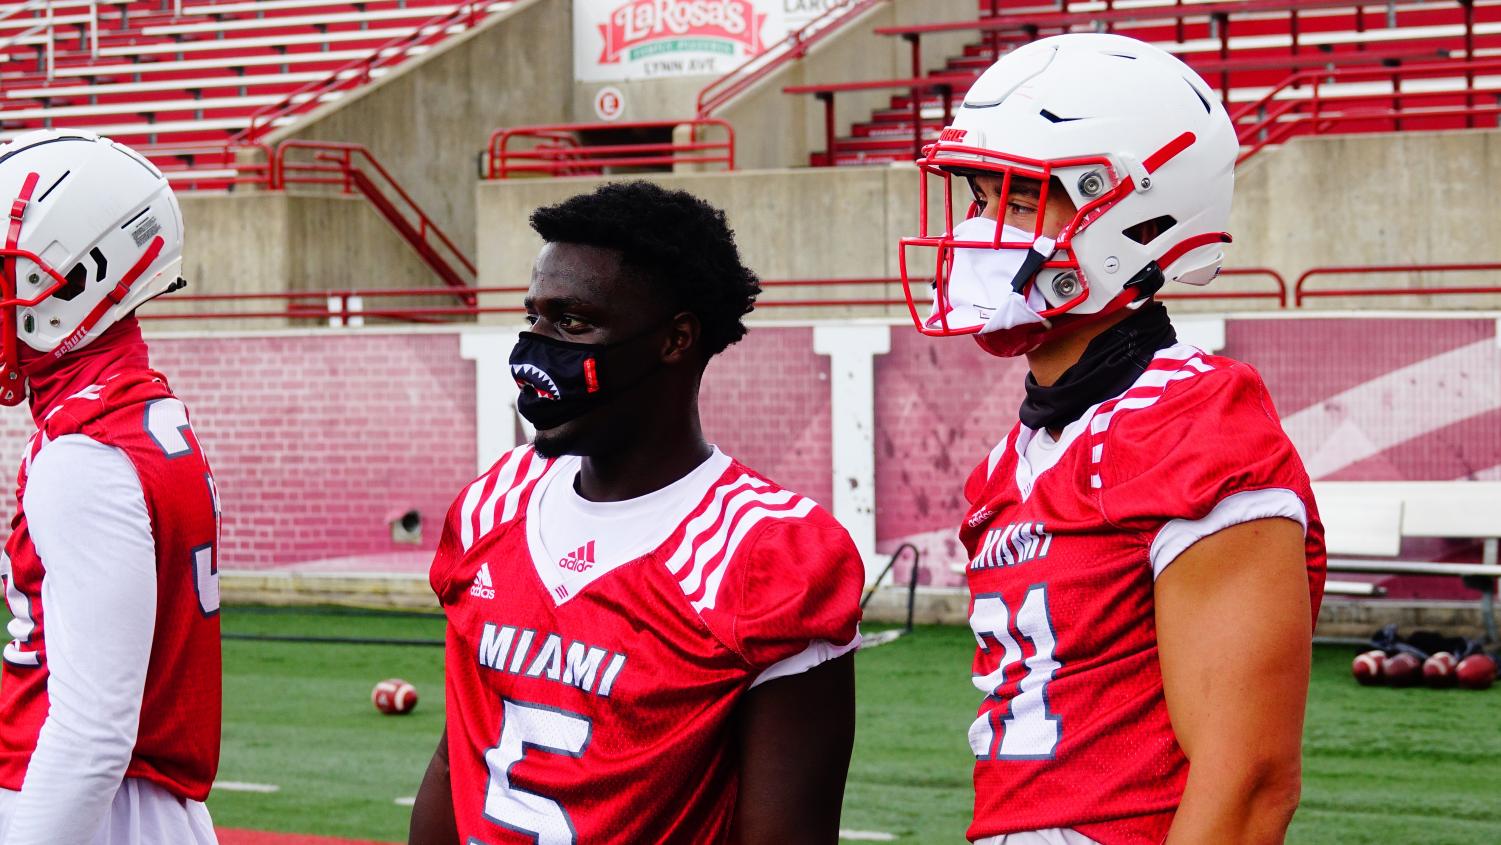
{"type": "Point", "coordinates": [795, 738]}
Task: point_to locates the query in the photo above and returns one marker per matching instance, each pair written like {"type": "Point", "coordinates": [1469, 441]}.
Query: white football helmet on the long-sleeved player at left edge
{"type": "Point", "coordinates": [94, 232]}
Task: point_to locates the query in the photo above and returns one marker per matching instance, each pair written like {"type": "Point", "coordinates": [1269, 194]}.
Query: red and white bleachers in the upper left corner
{"type": "Point", "coordinates": [154, 73]}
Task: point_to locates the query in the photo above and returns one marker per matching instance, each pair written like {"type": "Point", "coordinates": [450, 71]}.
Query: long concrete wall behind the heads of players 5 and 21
{"type": "Point", "coordinates": [1314, 203]}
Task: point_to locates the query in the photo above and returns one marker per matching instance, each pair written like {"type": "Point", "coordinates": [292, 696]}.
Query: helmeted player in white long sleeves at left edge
{"type": "Point", "coordinates": [110, 694]}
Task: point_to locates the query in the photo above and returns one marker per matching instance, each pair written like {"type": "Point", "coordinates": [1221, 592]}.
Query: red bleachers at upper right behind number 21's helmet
{"type": "Point", "coordinates": [1245, 50]}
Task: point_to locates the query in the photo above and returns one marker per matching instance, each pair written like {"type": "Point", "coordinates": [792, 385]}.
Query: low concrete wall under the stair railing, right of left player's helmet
{"type": "Point", "coordinates": [277, 242]}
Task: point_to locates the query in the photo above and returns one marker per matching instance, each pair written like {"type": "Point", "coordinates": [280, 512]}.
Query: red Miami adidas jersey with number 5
{"type": "Point", "coordinates": [592, 687]}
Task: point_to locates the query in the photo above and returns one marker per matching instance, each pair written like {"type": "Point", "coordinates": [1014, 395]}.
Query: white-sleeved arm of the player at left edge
{"type": "Point", "coordinates": [88, 519]}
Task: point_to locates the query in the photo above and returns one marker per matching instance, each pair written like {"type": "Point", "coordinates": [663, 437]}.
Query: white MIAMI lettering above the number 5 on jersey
{"type": "Point", "coordinates": [507, 649]}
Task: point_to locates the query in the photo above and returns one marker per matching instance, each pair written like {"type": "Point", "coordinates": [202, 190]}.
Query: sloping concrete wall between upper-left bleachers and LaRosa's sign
{"type": "Point", "coordinates": [429, 121]}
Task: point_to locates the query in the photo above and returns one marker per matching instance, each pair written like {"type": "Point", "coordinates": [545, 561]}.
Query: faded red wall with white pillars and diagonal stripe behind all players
{"type": "Point", "coordinates": [320, 439]}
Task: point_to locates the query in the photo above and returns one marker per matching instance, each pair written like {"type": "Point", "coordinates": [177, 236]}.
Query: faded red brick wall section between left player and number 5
{"type": "Point", "coordinates": [316, 441]}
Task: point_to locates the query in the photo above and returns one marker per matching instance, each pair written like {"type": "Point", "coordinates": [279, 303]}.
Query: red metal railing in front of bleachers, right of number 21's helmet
{"type": "Point", "coordinates": [1304, 106]}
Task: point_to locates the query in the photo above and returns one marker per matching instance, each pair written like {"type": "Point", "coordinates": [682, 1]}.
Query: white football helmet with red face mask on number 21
{"type": "Point", "coordinates": [1134, 137]}
